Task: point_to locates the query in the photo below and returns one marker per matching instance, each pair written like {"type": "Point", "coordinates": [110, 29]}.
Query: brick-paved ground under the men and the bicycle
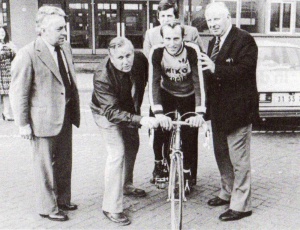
{"type": "Point", "coordinates": [275, 159]}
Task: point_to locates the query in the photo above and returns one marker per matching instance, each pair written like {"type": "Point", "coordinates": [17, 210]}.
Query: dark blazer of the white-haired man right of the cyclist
{"type": "Point", "coordinates": [232, 96]}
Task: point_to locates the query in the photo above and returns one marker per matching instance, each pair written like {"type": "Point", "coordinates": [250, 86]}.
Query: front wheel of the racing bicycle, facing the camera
{"type": "Point", "coordinates": [177, 190]}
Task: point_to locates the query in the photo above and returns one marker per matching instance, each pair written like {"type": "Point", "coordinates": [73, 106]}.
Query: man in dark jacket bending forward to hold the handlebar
{"type": "Point", "coordinates": [116, 102]}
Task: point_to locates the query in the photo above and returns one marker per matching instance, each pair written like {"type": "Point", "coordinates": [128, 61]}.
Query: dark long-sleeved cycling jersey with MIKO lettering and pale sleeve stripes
{"type": "Point", "coordinates": [179, 74]}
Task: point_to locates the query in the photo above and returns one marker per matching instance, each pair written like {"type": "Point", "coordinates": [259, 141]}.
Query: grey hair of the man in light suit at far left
{"type": "Point", "coordinates": [45, 11]}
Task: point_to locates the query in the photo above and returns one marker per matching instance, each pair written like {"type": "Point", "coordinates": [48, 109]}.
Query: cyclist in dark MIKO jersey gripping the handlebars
{"type": "Point", "coordinates": [176, 82]}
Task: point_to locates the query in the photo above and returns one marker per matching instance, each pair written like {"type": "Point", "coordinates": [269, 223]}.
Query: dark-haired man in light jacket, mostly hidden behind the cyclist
{"type": "Point", "coordinates": [167, 12]}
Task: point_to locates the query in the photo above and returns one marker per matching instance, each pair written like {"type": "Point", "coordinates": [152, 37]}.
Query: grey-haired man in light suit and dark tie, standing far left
{"type": "Point", "coordinates": [45, 103]}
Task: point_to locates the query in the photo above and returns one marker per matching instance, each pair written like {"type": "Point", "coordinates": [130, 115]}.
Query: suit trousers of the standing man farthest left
{"type": "Point", "coordinates": [52, 161]}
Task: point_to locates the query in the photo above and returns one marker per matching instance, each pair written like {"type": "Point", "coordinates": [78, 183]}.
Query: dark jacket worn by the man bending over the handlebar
{"type": "Point", "coordinates": [114, 99]}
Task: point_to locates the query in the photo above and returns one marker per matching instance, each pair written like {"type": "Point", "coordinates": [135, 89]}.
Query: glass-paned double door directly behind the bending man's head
{"type": "Point", "coordinates": [116, 18]}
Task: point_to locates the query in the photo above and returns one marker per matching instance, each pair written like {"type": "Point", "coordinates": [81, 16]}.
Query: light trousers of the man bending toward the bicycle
{"type": "Point", "coordinates": [122, 144]}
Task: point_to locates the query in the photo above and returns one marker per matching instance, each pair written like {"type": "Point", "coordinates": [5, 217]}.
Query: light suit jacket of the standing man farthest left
{"type": "Point", "coordinates": [37, 92]}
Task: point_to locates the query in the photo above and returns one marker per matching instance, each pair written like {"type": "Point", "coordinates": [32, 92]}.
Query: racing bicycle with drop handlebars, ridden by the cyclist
{"type": "Point", "coordinates": [176, 190]}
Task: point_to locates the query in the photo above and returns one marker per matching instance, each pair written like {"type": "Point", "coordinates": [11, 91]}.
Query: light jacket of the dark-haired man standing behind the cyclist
{"type": "Point", "coordinates": [153, 37]}
